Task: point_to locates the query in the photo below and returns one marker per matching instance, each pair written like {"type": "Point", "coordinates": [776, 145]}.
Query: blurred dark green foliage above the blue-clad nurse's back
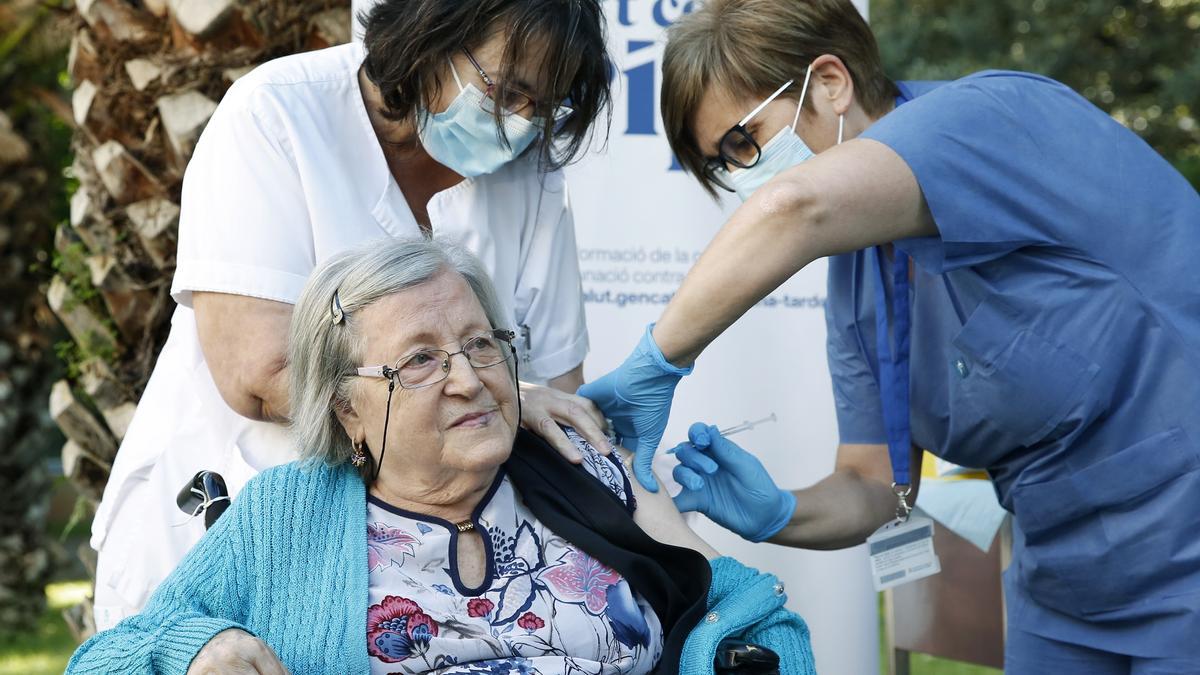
{"type": "Point", "coordinates": [1138, 61]}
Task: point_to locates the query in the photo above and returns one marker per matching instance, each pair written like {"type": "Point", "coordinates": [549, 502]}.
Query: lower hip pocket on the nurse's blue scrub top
{"type": "Point", "coordinates": [1101, 539]}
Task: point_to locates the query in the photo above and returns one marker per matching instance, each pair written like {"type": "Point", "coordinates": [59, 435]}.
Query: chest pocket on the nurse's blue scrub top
{"type": "Point", "coordinates": [1017, 380]}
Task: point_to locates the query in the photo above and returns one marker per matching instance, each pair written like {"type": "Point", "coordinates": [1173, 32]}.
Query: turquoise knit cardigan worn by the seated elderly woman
{"type": "Point", "coordinates": [289, 564]}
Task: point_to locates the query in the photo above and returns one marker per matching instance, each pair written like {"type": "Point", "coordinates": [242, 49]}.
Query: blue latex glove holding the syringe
{"type": "Point", "coordinates": [730, 486]}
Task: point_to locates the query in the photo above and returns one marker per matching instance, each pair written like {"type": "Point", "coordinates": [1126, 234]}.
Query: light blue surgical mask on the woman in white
{"type": "Point", "coordinates": [465, 140]}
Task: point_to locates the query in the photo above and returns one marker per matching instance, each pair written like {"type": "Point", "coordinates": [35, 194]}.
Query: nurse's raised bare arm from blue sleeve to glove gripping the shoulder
{"type": "Point", "coordinates": [857, 195]}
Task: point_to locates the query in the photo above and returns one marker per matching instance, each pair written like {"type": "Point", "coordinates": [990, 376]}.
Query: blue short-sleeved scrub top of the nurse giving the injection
{"type": "Point", "coordinates": [1055, 343]}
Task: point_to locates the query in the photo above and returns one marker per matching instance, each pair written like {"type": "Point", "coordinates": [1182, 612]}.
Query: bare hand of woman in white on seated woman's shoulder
{"type": "Point", "coordinates": [544, 409]}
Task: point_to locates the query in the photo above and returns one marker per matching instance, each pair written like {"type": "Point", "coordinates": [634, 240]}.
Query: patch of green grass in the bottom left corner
{"type": "Point", "coordinates": [47, 648]}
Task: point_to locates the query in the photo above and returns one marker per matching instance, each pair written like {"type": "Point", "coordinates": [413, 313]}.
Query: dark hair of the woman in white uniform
{"type": "Point", "coordinates": [409, 41]}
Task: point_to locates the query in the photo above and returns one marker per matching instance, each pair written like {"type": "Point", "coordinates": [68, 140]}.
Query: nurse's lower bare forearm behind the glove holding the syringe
{"type": "Point", "coordinates": [838, 512]}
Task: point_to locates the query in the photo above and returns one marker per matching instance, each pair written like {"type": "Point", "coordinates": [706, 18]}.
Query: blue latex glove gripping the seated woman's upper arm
{"type": "Point", "coordinates": [638, 398]}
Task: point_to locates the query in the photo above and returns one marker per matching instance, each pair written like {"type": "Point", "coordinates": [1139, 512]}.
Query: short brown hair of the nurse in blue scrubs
{"type": "Point", "coordinates": [751, 47]}
